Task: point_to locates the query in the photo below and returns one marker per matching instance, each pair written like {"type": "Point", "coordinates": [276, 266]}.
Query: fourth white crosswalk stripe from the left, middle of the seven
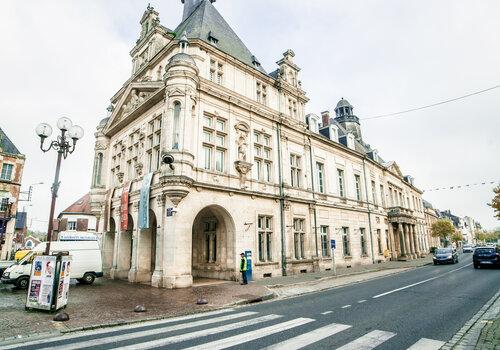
{"type": "Point", "coordinates": [249, 336]}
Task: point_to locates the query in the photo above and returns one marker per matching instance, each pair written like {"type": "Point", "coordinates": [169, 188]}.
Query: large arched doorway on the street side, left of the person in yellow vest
{"type": "Point", "coordinates": [213, 249]}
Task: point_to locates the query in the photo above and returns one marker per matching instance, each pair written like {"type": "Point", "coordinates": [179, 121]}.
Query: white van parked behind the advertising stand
{"type": "Point", "coordinates": [86, 262]}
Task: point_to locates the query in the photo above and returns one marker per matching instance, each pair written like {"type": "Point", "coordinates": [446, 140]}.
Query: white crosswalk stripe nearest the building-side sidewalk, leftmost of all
{"type": "Point", "coordinates": [131, 327]}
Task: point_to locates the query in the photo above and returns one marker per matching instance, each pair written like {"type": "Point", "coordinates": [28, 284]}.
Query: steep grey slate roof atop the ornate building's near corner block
{"type": "Point", "coordinates": [206, 20]}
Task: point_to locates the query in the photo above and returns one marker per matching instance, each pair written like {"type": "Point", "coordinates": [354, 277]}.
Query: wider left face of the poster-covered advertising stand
{"type": "Point", "coordinates": [41, 282]}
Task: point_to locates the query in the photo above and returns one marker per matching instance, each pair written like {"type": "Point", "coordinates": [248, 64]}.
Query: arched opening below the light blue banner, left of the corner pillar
{"type": "Point", "coordinates": [147, 250]}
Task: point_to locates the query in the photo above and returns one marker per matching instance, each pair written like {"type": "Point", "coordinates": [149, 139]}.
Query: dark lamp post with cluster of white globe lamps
{"type": "Point", "coordinates": [64, 145]}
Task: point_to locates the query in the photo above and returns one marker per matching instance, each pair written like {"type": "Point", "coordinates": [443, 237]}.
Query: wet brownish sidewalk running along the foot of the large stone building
{"type": "Point", "coordinates": [112, 302]}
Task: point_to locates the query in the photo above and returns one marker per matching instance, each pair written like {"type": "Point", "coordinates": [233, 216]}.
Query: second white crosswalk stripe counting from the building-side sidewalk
{"type": "Point", "coordinates": [128, 336]}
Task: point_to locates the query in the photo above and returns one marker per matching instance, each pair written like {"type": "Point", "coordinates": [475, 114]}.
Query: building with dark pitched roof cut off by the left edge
{"type": "Point", "coordinates": [11, 172]}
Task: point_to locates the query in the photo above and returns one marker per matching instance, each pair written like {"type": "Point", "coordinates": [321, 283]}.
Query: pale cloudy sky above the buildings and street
{"type": "Point", "coordinates": [67, 58]}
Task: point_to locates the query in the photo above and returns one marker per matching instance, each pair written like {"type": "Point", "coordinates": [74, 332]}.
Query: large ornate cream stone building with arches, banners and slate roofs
{"type": "Point", "coordinates": [245, 168]}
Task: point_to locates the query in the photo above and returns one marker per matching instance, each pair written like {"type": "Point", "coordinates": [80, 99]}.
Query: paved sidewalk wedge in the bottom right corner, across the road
{"type": "Point", "coordinates": [482, 332]}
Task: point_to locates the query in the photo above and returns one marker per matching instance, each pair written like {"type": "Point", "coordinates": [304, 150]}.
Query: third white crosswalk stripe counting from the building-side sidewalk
{"type": "Point", "coordinates": [198, 334]}
